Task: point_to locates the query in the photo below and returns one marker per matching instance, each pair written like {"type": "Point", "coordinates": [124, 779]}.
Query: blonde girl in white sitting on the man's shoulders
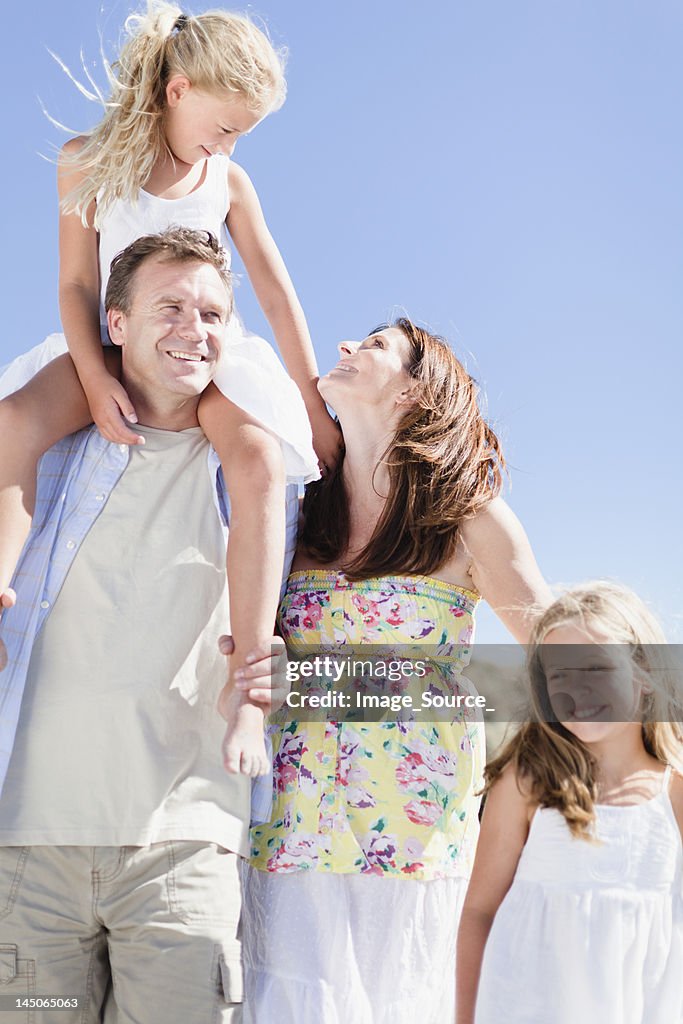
{"type": "Point", "coordinates": [184, 91]}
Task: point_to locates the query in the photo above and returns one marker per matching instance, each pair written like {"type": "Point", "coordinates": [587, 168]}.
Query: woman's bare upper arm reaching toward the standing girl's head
{"type": "Point", "coordinates": [503, 568]}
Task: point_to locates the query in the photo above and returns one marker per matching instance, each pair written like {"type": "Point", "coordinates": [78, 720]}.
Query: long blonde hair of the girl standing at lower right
{"type": "Point", "coordinates": [557, 769]}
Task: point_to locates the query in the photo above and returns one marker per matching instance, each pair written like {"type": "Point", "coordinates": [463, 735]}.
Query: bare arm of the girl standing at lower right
{"type": "Point", "coordinates": [504, 832]}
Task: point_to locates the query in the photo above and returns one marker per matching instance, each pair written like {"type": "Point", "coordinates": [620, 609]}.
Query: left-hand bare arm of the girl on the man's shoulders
{"type": "Point", "coordinates": [79, 307]}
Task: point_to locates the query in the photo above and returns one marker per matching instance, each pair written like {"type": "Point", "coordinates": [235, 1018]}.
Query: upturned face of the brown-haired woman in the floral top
{"type": "Point", "coordinates": [373, 372]}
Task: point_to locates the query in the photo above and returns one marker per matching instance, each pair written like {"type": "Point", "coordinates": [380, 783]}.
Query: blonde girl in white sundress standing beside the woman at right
{"type": "Point", "coordinates": [575, 912]}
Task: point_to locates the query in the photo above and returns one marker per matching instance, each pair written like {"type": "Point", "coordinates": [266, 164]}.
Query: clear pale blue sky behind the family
{"type": "Point", "coordinates": [509, 175]}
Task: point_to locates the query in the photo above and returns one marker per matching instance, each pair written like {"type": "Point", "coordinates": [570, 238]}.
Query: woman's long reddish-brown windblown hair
{"type": "Point", "coordinates": [445, 464]}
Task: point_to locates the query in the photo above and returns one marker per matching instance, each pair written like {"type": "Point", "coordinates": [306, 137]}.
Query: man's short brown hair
{"type": "Point", "coordinates": [176, 245]}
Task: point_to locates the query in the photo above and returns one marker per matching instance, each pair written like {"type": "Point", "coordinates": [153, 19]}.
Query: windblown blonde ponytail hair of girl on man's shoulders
{"type": "Point", "coordinates": [219, 52]}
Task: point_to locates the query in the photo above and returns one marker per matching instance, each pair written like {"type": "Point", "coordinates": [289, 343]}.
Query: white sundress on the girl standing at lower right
{"type": "Point", "coordinates": [588, 933]}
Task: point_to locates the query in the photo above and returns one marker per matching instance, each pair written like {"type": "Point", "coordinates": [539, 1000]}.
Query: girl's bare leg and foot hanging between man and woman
{"type": "Point", "coordinates": [255, 479]}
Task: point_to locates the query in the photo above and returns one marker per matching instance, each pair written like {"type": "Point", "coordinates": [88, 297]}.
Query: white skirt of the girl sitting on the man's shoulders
{"type": "Point", "coordinates": [249, 374]}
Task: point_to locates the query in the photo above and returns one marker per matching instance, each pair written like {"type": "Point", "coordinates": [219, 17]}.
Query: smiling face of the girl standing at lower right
{"type": "Point", "coordinates": [594, 686]}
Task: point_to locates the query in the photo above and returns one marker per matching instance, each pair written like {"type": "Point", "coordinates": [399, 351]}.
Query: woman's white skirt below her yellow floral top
{"type": "Point", "coordinates": [322, 949]}
